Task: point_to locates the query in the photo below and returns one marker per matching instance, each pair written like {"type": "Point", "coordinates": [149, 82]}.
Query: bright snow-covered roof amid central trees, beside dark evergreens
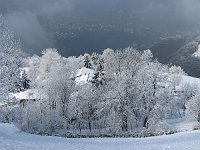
{"type": "Point", "coordinates": [84, 75]}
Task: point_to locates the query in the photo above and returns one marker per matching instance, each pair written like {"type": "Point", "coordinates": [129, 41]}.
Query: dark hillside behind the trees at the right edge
{"type": "Point", "coordinates": [180, 52]}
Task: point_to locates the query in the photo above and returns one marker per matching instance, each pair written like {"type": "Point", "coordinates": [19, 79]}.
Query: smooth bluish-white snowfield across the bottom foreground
{"type": "Point", "coordinates": [12, 139]}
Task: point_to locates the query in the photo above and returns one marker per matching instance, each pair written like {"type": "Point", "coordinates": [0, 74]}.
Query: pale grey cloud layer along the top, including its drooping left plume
{"type": "Point", "coordinates": [22, 15]}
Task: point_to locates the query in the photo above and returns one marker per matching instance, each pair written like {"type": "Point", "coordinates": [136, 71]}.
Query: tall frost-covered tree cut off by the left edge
{"type": "Point", "coordinates": [10, 59]}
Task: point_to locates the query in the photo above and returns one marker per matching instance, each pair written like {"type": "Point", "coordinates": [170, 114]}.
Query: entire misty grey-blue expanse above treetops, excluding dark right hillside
{"type": "Point", "coordinates": [86, 25]}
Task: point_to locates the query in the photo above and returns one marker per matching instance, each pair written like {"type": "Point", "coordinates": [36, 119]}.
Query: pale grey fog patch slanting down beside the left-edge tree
{"type": "Point", "coordinates": [26, 26]}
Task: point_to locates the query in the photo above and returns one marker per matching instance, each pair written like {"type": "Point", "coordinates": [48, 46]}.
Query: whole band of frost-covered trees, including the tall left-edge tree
{"type": "Point", "coordinates": [129, 93]}
